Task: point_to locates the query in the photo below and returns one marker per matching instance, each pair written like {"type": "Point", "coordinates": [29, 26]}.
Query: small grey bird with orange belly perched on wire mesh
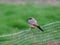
{"type": "Point", "coordinates": [33, 23]}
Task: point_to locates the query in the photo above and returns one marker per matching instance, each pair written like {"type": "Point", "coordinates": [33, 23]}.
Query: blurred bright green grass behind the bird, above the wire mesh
{"type": "Point", "coordinates": [13, 18]}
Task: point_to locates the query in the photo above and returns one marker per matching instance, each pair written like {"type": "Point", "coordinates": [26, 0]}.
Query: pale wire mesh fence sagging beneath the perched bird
{"type": "Point", "coordinates": [34, 36]}
